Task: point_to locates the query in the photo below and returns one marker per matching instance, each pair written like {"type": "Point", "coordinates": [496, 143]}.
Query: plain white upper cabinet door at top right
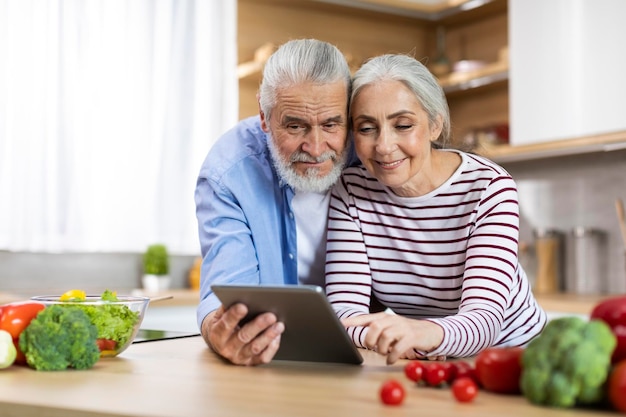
{"type": "Point", "coordinates": [567, 68]}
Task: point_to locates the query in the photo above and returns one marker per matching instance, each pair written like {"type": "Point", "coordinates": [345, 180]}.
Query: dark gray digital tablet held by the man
{"type": "Point", "coordinates": [313, 332]}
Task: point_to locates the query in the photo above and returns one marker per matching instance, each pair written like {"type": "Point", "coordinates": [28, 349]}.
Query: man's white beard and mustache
{"type": "Point", "coordinates": [310, 181]}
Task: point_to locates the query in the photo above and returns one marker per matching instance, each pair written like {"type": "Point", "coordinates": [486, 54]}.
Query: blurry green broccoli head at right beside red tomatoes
{"type": "Point", "coordinates": [568, 363]}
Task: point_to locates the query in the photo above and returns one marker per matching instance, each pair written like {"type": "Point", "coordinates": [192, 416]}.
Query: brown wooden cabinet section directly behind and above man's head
{"type": "Point", "coordinates": [360, 34]}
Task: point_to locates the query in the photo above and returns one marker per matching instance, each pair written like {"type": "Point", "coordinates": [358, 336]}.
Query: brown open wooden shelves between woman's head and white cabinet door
{"type": "Point", "coordinates": [478, 99]}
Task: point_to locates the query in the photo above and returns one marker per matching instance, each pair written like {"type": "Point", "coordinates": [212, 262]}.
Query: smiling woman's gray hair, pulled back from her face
{"type": "Point", "coordinates": [416, 77]}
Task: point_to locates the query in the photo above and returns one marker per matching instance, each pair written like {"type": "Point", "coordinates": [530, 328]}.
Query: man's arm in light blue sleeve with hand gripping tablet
{"type": "Point", "coordinates": [230, 256]}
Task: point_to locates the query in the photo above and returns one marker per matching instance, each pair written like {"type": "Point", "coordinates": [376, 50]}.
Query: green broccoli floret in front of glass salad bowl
{"type": "Point", "coordinates": [60, 338]}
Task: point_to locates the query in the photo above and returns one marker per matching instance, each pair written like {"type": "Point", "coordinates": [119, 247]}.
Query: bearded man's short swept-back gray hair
{"type": "Point", "coordinates": [300, 61]}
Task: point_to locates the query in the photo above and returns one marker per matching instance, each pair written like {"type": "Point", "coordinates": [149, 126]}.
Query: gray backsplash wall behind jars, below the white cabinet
{"type": "Point", "coordinates": [571, 191]}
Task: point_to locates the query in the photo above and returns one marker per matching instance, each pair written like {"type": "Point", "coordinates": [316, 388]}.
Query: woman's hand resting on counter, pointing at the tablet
{"type": "Point", "coordinates": [396, 336]}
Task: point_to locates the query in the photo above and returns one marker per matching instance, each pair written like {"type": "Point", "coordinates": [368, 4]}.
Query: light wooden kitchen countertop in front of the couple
{"type": "Point", "coordinates": [181, 377]}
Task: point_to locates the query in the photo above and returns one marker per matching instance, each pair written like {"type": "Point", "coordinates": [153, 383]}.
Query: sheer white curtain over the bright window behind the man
{"type": "Point", "coordinates": [107, 109]}
